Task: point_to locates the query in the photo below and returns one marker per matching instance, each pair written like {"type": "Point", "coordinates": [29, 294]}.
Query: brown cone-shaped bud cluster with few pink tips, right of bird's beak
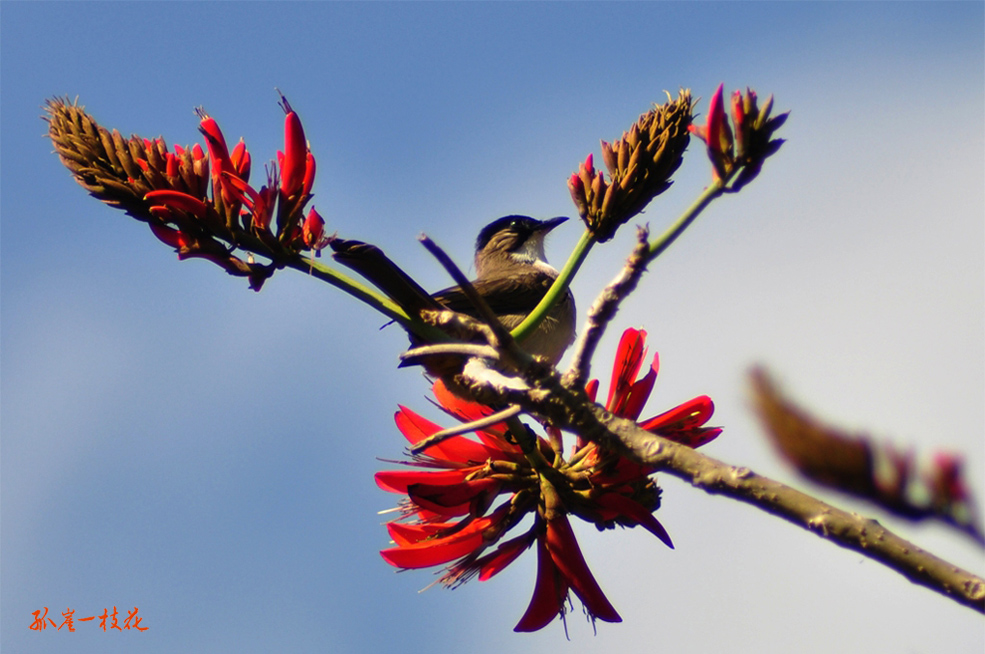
{"type": "Point", "coordinates": [640, 165]}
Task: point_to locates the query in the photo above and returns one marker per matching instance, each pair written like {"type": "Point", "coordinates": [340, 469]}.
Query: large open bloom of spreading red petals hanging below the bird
{"type": "Point", "coordinates": [450, 515]}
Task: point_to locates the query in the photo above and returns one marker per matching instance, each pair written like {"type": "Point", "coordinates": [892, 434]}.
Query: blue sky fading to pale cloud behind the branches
{"type": "Point", "coordinates": [176, 442]}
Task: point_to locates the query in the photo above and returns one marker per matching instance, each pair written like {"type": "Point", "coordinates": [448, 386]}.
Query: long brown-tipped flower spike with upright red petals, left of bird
{"type": "Point", "coordinates": [171, 190]}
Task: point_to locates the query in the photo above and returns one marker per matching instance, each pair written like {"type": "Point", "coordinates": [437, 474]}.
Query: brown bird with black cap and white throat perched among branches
{"type": "Point", "coordinates": [512, 276]}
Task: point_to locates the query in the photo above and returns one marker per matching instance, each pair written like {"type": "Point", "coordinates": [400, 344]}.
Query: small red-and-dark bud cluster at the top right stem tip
{"type": "Point", "coordinates": [752, 141]}
